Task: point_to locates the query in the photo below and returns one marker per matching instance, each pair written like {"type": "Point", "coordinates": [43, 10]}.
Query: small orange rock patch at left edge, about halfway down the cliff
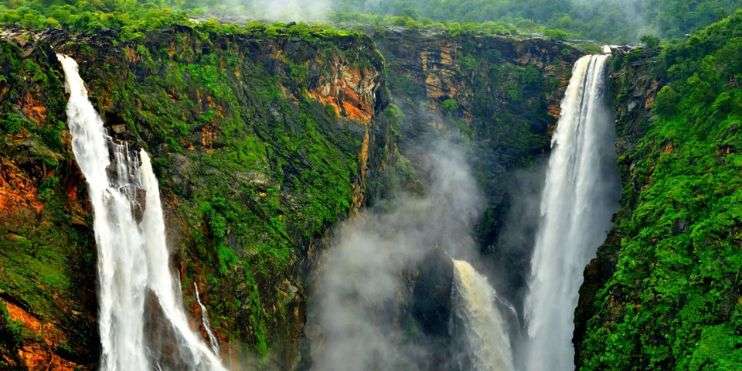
{"type": "Point", "coordinates": [16, 190]}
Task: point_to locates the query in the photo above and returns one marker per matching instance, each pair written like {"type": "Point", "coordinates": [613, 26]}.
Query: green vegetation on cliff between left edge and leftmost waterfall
{"type": "Point", "coordinates": [45, 262]}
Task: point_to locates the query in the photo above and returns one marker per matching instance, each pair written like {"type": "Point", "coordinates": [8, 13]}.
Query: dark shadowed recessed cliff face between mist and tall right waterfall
{"type": "Point", "coordinates": [496, 96]}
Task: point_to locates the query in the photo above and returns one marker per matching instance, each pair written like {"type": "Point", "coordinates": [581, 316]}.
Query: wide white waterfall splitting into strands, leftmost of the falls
{"type": "Point", "coordinates": [133, 259]}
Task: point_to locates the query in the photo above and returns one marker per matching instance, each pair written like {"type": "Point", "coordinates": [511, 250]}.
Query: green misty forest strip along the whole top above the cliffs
{"type": "Point", "coordinates": [603, 20]}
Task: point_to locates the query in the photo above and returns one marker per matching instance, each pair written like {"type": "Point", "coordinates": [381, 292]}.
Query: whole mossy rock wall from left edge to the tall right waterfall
{"type": "Point", "coordinates": [262, 138]}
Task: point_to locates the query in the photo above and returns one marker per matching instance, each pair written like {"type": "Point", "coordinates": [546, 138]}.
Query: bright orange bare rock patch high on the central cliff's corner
{"type": "Point", "coordinates": [349, 91]}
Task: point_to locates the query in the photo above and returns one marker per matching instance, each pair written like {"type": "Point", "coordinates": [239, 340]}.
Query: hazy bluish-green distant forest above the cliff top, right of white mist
{"type": "Point", "coordinates": [606, 20]}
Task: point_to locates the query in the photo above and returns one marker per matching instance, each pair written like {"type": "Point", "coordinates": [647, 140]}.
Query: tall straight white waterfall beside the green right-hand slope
{"type": "Point", "coordinates": [579, 197]}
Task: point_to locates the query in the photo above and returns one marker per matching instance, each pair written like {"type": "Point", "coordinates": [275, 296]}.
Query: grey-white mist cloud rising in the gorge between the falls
{"type": "Point", "coordinates": [356, 308]}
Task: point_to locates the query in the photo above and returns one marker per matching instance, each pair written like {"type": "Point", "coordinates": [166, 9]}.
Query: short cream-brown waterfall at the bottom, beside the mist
{"type": "Point", "coordinates": [483, 340]}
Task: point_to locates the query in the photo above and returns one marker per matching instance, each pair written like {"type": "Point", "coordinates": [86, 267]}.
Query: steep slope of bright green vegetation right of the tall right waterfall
{"type": "Point", "coordinates": [673, 300]}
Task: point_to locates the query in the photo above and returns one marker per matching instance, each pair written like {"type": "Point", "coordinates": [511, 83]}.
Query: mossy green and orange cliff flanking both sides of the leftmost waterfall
{"type": "Point", "coordinates": [261, 142]}
